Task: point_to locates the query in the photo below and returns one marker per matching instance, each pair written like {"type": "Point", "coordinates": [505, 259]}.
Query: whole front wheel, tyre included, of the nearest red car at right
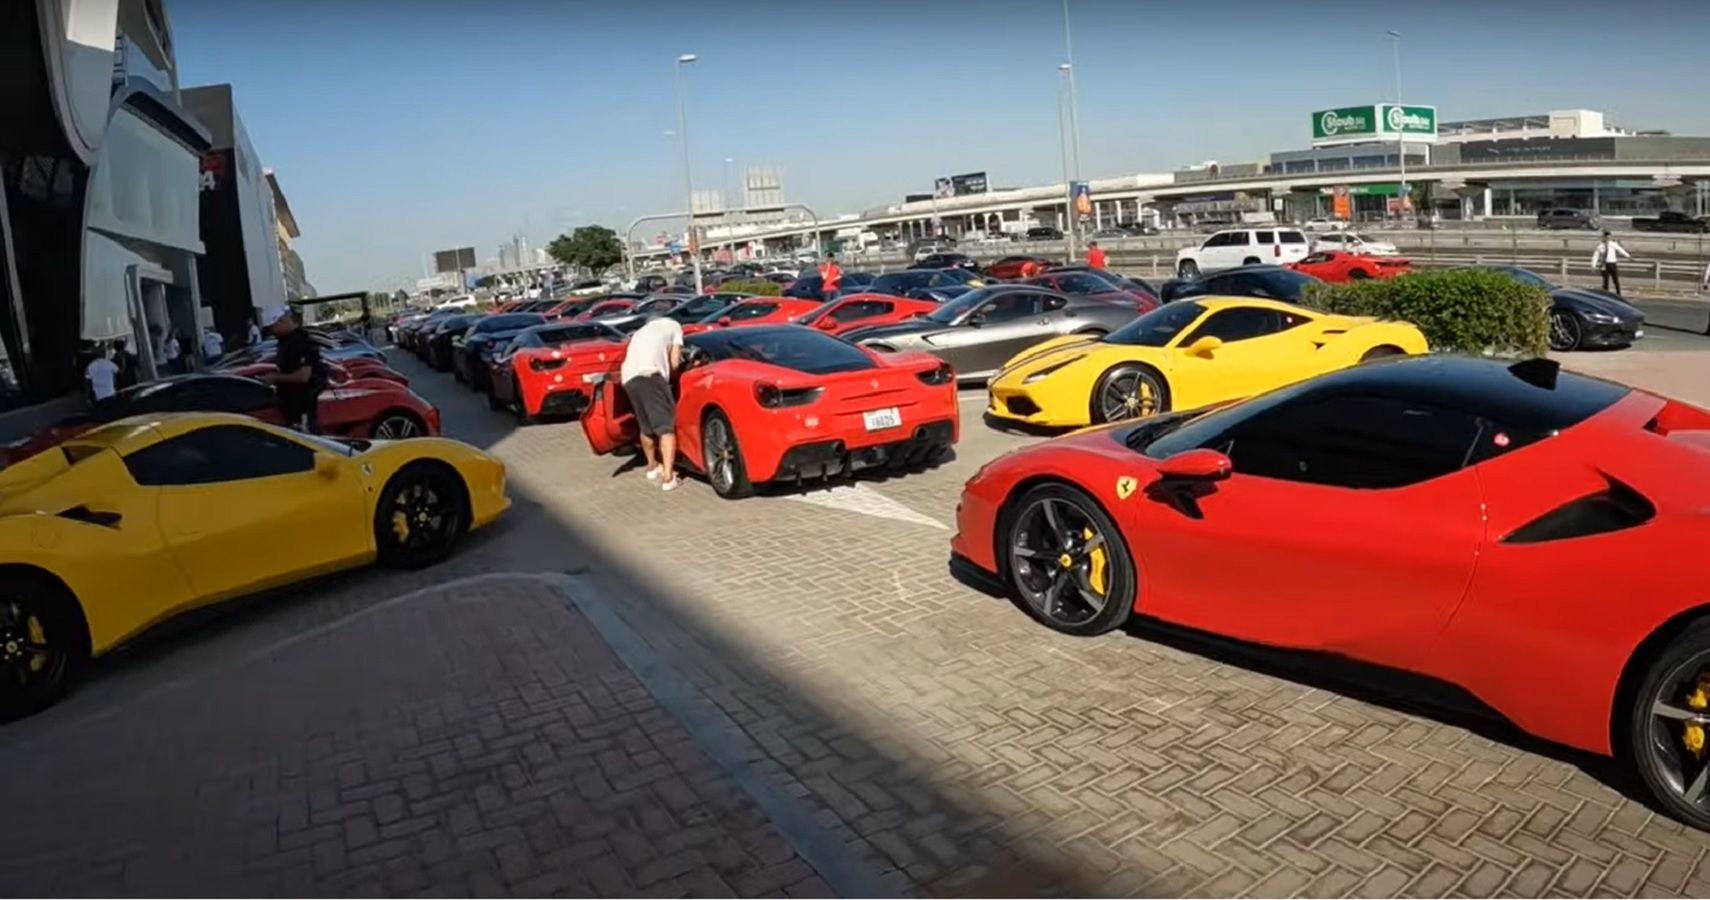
{"type": "Point", "coordinates": [1095, 593]}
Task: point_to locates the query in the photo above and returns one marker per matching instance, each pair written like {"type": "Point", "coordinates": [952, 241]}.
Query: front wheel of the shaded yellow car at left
{"type": "Point", "coordinates": [422, 514]}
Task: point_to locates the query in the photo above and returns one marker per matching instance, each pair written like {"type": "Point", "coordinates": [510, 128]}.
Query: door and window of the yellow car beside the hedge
{"type": "Point", "coordinates": [1254, 352]}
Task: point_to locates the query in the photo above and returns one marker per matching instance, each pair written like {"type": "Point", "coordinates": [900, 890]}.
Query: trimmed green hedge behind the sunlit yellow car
{"type": "Point", "coordinates": [1459, 311]}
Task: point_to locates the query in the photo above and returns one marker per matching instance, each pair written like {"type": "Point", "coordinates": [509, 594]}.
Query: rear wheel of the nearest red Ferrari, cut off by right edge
{"type": "Point", "coordinates": [1668, 718]}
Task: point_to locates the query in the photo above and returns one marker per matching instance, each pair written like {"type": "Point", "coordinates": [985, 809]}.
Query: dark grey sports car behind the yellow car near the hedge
{"type": "Point", "coordinates": [979, 331]}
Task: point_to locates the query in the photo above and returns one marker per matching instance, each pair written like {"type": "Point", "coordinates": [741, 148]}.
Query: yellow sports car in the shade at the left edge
{"type": "Point", "coordinates": [148, 518]}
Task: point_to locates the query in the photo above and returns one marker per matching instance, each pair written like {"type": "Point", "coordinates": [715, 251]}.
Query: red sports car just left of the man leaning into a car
{"type": "Point", "coordinates": [551, 370]}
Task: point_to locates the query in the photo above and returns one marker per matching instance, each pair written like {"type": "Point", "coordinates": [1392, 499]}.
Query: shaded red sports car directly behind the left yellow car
{"type": "Point", "coordinates": [367, 408]}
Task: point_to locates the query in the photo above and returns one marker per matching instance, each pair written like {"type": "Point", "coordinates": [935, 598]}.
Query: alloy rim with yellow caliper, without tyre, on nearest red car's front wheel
{"type": "Point", "coordinates": [1059, 562]}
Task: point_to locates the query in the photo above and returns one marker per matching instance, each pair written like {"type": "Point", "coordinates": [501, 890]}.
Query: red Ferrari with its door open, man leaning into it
{"type": "Point", "coordinates": [775, 403]}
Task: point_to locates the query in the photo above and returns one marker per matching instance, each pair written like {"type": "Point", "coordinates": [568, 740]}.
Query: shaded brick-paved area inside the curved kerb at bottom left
{"type": "Point", "coordinates": [473, 740]}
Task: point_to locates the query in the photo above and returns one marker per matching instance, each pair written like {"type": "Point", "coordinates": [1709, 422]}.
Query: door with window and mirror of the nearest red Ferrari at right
{"type": "Point", "coordinates": [1353, 521]}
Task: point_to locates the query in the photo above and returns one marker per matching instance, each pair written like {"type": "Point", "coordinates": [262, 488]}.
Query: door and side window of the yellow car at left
{"type": "Point", "coordinates": [244, 507]}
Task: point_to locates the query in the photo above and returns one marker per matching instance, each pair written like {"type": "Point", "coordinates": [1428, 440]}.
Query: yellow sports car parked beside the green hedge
{"type": "Point", "coordinates": [1182, 357]}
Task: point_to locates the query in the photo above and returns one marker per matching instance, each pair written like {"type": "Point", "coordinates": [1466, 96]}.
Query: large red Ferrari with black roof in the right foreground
{"type": "Point", "coordinates": [1478, 523]}
